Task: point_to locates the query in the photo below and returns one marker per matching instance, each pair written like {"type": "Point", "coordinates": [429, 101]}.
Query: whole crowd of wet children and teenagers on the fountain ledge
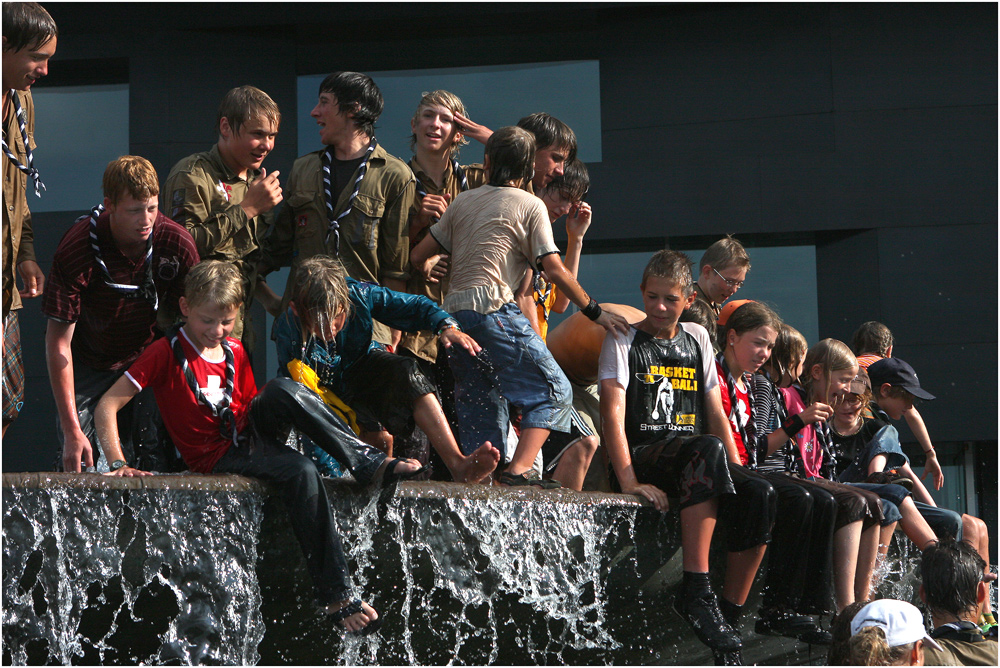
{"type": "Point", "coordinates": [419, 297]}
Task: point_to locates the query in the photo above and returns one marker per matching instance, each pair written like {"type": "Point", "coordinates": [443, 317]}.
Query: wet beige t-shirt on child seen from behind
{"type": "Point", "coordinates": [494, 235]}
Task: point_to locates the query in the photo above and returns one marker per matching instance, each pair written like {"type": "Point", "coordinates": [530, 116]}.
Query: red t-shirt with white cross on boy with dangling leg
{"type": "Point", "coordinates": [191, 425]}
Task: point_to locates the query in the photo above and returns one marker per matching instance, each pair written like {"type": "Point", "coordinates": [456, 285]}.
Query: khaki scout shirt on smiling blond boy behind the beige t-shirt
{"type": "Point", "coordinates": [425, 344]}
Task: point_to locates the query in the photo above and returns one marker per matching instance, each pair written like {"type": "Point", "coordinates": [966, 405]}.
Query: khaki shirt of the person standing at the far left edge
{"type": "Point", "coordinates": [18, 239]}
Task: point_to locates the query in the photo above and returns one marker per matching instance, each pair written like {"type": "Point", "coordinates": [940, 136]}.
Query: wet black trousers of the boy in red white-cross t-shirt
{"type": "Point", "coordinates": [281, 404]}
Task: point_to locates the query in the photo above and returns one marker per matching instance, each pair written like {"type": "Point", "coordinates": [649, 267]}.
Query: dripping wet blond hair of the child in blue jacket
{"type": "Point", "coordinates": [320, 292]}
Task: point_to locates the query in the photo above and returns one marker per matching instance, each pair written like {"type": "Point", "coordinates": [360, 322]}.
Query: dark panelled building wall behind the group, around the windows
{"type": "Point", "coordinates": [869, 130]}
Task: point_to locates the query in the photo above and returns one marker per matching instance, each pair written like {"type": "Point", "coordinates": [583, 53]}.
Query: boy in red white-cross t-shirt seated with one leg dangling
{"type": "Point", "coordinates": [220, 424]}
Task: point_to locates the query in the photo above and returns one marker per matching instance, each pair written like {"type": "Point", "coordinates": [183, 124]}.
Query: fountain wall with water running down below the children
{"type": "Point", "coordinates": [205, 570]}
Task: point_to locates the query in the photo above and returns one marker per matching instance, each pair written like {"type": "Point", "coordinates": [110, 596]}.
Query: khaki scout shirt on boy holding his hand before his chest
{"type": "Point", "coordinates": [205, 196]}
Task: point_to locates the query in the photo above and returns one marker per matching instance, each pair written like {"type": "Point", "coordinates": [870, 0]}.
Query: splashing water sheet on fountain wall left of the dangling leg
{"type": "Point", "coordinates": [130, 575]}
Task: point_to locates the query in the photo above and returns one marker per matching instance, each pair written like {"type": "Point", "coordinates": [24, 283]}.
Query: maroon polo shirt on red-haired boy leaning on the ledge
{"type": "Point", "coordinates": [111, 329]}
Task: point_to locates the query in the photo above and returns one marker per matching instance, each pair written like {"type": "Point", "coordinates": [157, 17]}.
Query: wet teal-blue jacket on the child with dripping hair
{"type": "Point", "coordinates": [399, 310]}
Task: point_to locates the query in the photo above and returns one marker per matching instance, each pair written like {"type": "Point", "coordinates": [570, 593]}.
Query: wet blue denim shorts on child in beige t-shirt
{"type": "Point", "coordinates": [514, 367]}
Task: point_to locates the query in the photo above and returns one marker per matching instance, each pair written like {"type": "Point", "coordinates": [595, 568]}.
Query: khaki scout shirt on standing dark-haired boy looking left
{"type": "Point", "coordinates": [374, 238]}
